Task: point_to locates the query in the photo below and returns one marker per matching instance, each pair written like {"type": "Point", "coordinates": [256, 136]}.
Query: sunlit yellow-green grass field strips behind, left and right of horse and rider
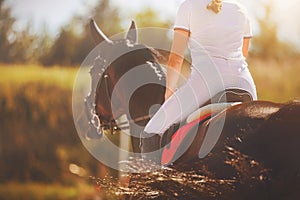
{"type": "Point", "coordinates": [275, 80]}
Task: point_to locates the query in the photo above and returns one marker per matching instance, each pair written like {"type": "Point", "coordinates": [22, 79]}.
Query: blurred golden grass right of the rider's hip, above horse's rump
{"type": "Point", "coordinates": [276, 80]}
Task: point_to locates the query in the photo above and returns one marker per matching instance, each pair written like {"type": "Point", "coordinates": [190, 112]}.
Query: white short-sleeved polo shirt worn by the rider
{"type": "Point", "coordinates": [220, 35]}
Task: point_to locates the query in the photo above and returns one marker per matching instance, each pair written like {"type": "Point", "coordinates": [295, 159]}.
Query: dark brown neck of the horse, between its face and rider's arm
{"type": "Point", "coordinates": [141, 88]}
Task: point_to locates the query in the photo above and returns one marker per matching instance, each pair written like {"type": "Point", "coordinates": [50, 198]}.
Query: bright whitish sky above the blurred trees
{"type": "Point", "coordinates": [54, 13]}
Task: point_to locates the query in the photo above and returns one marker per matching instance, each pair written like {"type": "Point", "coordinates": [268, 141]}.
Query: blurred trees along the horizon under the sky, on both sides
{"type": "Point", "coordinates": [73, 43]}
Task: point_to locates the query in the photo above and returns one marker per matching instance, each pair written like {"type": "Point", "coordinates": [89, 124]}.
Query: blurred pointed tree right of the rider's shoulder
{"type": "Point", "coordinates": [267, 44]}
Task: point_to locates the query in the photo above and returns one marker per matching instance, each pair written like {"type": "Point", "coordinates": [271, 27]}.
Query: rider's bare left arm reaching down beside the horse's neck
{"type": "Point", "coordinates": [176, 58]}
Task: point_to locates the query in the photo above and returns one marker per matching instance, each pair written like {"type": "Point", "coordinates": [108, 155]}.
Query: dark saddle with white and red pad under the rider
{"type": "Point", "coordinates": [176, 134]}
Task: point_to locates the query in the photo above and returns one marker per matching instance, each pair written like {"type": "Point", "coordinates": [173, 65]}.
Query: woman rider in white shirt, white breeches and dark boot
{"type": "Point", "coordinates": [218, 35]}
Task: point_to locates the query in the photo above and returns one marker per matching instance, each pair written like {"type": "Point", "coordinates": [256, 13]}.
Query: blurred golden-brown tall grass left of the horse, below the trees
{"type": "Point", "coordinates": [38, 139]}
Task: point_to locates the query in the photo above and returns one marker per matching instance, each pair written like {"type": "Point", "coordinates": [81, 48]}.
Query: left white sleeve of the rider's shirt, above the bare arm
{"type": "Point", "coordinates": [182, 20]}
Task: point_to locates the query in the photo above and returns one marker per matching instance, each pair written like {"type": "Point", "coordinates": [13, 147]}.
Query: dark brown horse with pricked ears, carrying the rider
{"type": "Point", "coordinates": [258, 142]}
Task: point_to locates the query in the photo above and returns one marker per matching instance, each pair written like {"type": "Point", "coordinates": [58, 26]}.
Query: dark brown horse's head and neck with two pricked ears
{"type": "Point", "coordinates": [126, 79]}
